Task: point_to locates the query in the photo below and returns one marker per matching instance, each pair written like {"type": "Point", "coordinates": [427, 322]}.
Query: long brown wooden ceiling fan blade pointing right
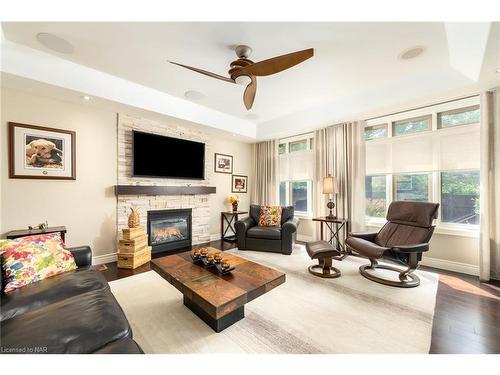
{"type": "Point", "coordinates": [275, 64]}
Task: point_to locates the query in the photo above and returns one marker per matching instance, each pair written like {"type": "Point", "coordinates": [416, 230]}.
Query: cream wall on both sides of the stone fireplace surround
{"type": "Point", "coordinates": [87, 206]}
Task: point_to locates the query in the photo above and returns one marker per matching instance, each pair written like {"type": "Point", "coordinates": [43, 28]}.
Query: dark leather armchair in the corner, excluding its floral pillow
{"type": "Point", "coordinates": [277, 240]}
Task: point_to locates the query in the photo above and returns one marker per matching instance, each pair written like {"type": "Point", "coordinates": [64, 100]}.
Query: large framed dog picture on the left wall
{"type": "Point", "coordinates": [40, 152]}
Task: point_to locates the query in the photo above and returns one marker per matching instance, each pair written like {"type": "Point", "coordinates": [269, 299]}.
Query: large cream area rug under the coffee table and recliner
{"type": "Point", "coordinates": [306, 314]}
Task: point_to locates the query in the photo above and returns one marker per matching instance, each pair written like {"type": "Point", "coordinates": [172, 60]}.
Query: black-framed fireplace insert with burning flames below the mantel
{"type": "Point", "coordinates": [169, 229]}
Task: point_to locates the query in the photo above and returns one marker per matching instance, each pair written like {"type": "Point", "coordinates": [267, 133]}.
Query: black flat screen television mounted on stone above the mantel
{"type": "Point", "coordinates": [166, 157]}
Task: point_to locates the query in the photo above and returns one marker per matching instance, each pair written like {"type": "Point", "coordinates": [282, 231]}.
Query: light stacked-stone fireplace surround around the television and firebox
{"type": "Point", "coordinates": [199, 203]}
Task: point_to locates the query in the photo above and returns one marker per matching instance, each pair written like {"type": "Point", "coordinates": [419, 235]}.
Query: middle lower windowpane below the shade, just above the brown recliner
{"type": "Point", "coordinates": [411, 187]}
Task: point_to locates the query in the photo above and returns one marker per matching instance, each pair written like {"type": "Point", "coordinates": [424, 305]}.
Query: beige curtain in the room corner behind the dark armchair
{"type": "Point", "coordinates": [264, 173]}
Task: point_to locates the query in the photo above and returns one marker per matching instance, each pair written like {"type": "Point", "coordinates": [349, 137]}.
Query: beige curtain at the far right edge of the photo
{"type": "Point", "coordinates": [489, 245]}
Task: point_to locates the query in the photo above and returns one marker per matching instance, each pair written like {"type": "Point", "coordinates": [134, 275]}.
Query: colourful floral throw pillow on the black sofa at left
{"type": "Point", "coordinates": [34, 258]}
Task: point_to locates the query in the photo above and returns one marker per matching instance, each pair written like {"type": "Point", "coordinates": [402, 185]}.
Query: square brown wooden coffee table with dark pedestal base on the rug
{"type": "Point", "coordinates": [217, 299]}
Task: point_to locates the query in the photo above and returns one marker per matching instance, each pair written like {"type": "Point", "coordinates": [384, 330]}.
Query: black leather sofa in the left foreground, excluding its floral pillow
{"type": "Point", "coordinates": [74, 312]}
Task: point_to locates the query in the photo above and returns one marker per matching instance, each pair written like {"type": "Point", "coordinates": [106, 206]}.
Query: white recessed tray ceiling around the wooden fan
{"type": "Point", "coordinates": [351, 61]}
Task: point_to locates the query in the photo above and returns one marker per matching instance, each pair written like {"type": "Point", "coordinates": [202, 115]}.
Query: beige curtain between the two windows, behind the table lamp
{"type": "Point", "coordinates": [339, 150]}
